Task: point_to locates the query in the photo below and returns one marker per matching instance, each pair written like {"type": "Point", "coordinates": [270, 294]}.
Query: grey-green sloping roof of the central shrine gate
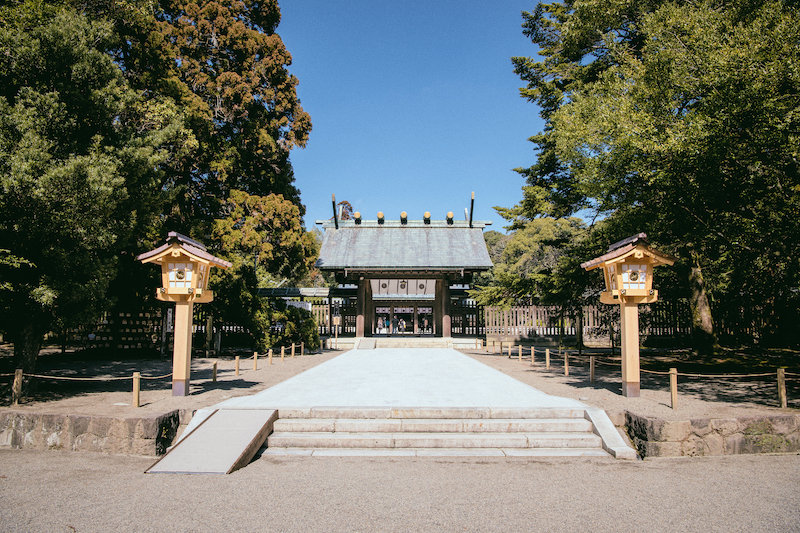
{"type": "Point", "coordinates": [393, 246]}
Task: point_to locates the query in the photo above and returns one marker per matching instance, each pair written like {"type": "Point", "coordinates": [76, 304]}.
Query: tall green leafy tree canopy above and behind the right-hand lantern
{"type": "Point", "coordinates": [679, 119]}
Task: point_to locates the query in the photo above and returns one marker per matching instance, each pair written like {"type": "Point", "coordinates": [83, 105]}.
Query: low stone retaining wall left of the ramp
{"type": "Point", "coordinates": [146, 435]}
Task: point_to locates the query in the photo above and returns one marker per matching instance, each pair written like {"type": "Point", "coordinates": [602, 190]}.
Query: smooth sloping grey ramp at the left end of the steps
{"type": "Point", "coordinates": [225, 441]}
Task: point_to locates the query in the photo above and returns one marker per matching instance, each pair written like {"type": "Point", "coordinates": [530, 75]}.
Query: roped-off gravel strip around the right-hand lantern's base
{"type": "Point", "coordinates": [696, 399]}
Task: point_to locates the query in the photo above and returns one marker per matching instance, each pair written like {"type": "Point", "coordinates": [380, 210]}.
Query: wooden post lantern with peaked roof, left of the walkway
{"type": "Point", "coordinates": [185, 269]}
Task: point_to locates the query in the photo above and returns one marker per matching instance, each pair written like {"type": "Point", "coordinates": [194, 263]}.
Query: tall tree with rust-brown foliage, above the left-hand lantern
{"type": "Point", "coordinates": [223, 61]}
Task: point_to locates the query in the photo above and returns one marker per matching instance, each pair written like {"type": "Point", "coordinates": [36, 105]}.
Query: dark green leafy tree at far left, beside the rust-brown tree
{"type": "Point", "coordinates": [82, 160]}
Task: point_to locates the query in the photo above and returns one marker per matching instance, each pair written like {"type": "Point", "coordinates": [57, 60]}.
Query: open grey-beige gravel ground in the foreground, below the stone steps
{"type": "Point", "coordinates": [59, 491]}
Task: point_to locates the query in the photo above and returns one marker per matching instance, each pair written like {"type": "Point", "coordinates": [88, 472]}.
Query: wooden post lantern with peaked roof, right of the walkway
{"type": "Point", "coordinates": [628, 271]}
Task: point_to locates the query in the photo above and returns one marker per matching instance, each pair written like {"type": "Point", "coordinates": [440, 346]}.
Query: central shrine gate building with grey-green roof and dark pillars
{"type": "Point", "coordinates": [407, 275]}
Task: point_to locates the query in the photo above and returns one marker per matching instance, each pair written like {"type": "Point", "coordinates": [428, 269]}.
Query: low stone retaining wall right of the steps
{"type": "Point", "coordinates": [654, 437]}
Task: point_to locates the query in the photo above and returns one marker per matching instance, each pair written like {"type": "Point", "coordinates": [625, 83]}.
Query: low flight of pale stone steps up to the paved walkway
{"type": "Point", "coordinates": [438, 432]}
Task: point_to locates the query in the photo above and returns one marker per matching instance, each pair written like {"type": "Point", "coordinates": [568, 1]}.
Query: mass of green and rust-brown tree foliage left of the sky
{"type": "Point", "coordinates": [121, 120]}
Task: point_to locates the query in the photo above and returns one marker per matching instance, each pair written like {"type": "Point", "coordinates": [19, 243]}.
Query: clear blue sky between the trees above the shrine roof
{"type": "Point", "coordinates": [414, 104]}
